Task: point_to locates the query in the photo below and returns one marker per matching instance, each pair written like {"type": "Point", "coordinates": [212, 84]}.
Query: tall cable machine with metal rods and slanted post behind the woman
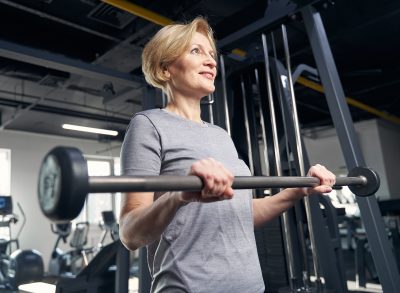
{"type": "Point", "coordinates": [248, 88]}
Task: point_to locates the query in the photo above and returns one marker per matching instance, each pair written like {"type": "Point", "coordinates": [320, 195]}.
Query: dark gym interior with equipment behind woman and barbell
{"type": "Point", "coordinates": [78, 62]}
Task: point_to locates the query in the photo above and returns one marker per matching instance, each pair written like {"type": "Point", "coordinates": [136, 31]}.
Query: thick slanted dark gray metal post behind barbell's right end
{"type": "Point", "coordinates": [370, 213]}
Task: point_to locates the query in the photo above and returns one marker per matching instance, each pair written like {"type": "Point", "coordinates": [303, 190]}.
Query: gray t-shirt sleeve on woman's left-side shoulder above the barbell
{"type": "Point", "coordinates": [141, 149]}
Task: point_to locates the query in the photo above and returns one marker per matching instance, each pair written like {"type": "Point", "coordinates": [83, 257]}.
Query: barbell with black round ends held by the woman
{"type": "Point", "coordinates": [64, 183]}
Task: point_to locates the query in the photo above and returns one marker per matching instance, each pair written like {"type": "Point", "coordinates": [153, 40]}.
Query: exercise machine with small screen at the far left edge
{"type": "Point", "coordinates": [16, 266]}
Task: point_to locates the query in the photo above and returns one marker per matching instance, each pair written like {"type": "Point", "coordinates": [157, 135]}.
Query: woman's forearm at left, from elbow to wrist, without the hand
{"type": "Point", "coordinates": [145, 224]}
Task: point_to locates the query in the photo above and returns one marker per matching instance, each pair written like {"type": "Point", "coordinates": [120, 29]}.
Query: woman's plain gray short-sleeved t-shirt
{"type": "Point", "coordinates": [207, 247]}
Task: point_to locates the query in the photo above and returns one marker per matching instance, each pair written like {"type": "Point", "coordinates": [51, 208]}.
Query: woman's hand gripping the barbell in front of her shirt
{"type": "Point", "coordinates": [217, 182]}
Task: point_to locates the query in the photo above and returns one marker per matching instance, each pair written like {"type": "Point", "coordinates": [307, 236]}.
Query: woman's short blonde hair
{"type": "Point", "coordinates": [167, 45]}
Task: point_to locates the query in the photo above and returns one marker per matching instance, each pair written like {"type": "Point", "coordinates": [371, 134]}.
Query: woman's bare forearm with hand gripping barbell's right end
{"type": "Point", "coordinates": [267, 208]}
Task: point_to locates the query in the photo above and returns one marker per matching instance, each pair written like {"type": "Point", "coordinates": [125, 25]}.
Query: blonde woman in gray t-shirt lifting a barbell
{"type": "Point", "coordinates": [197, 241]}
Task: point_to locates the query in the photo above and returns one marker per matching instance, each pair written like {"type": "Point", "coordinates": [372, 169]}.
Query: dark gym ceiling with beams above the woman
{"type": "Point", "coordinates": [78, 61]}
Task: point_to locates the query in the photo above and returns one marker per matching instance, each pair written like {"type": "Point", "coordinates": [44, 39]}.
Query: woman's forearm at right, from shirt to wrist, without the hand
{"type": "Point", "coordinates": [267, 208]}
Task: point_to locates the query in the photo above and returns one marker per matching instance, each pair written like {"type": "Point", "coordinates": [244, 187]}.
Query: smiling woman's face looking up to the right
{"type": "Point", "coordinates": [193, 73]}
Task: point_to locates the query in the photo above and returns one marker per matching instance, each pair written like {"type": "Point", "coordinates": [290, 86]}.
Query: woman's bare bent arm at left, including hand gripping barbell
{"type": "Point", "coordinates": [143, 220]}
